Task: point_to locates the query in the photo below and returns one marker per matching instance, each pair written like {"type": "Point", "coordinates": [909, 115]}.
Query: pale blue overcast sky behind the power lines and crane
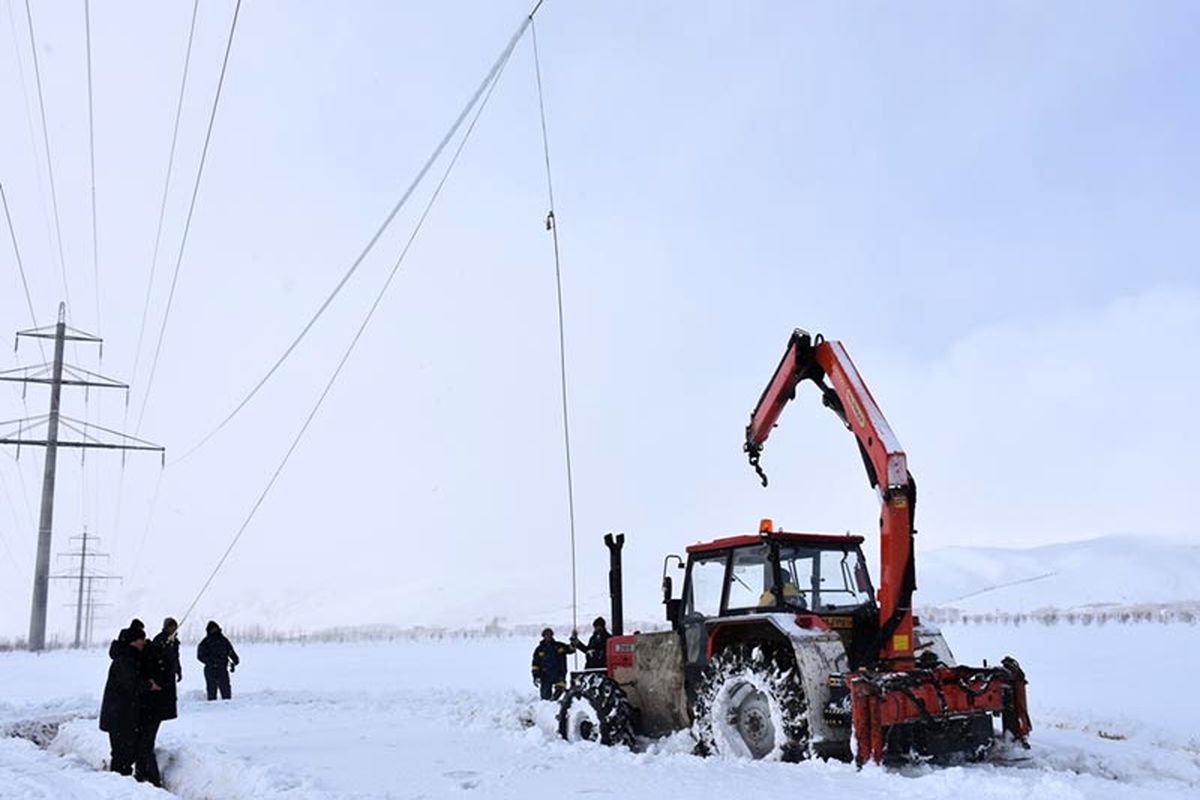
{"type": "Point", "coordinates": [995, 208]}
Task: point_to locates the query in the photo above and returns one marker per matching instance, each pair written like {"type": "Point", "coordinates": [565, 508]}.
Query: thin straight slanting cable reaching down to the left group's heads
{"type": "Point", "coordinates": [363, 327]}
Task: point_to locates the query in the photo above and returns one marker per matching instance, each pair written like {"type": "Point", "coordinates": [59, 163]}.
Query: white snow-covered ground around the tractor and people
{"type": "Point", "coordinates": [452, 719]}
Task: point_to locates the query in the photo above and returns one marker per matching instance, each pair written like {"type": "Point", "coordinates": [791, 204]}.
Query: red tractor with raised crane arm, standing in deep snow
{"type": "Point", "coordinates": [779, 647]}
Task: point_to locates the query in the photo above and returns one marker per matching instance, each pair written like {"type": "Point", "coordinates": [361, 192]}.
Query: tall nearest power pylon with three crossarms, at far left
{"type": "Point", "coordinates": [57, 376]}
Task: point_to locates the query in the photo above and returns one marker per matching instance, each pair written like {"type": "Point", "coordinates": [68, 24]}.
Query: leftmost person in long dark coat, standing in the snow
{"type": "Point", "coordinates": [124, 691]}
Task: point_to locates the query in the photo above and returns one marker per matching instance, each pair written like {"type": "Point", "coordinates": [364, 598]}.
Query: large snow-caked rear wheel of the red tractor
{"type": "Point", "coordinates": [751, 705]}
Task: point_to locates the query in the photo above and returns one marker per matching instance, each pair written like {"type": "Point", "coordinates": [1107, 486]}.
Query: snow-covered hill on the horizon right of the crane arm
{"type": "Point", "coordinates": [1115, 570]}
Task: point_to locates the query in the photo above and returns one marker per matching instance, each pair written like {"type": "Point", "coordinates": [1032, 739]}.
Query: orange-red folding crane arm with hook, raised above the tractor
{"type": "Point", "coordinates": [814, 359]}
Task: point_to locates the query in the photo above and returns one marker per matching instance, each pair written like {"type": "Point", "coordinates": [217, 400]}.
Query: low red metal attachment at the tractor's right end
{"type": "Point", "coordinates": [935, 713]}
